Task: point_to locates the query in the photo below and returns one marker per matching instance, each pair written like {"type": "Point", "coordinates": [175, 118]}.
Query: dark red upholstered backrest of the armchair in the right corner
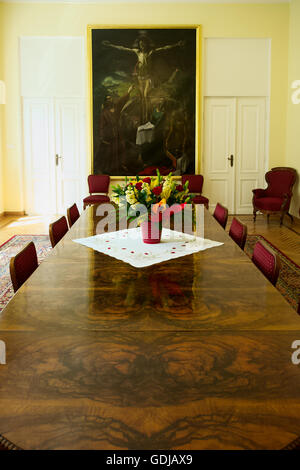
{"type": "Point", "coordinates": [280, 181]}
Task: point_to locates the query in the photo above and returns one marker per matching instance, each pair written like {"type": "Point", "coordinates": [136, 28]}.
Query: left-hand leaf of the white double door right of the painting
{"type": "Point", "coordinates": [219, 145]}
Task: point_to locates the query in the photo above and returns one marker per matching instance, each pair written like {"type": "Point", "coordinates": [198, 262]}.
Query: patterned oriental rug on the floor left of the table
{"type": "Point", "coordinates": [11, 248]}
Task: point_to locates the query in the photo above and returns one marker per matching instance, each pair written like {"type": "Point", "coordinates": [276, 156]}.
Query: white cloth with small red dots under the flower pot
{"type": "Point", "coordinates": [128, 246]}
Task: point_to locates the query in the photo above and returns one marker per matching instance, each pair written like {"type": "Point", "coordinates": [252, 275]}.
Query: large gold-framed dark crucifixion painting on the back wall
{"type": "Point", "coordinates": [144, 93]}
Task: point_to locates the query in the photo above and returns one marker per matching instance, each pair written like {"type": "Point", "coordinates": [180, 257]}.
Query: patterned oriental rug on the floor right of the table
{"type": "Point", "coordinates": [288, 282]}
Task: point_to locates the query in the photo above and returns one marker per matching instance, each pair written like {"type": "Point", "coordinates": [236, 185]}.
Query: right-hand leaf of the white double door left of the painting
{"type": "Point", "coordinates": [70, 152]}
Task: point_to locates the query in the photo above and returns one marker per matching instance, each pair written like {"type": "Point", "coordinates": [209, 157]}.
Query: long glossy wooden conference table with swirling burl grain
{"type": "Point", "coordinates": [192, 353]}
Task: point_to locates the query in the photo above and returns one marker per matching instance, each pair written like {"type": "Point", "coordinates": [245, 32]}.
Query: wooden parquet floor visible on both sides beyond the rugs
{"type": "Point", "coordinates": [285, 238]}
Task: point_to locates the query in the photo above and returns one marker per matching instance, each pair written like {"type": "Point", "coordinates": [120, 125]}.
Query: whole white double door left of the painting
{"type": "Point", "coordinates": [55, 160]}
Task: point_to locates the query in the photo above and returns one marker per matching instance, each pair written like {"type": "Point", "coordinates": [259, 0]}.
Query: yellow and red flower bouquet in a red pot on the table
{"type": "Point", "coordinates": [150, 200]}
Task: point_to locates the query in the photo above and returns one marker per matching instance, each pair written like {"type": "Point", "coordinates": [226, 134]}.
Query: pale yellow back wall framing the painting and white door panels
{"type": "Point", "coordinates": [217, 20]}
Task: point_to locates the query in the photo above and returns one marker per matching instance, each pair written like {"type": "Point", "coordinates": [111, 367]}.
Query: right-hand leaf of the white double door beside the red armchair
{"type": "Point", "coordinates": [250, 151]}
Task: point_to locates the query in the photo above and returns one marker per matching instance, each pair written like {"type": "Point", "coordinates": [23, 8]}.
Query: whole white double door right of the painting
{"type": "Point", "coordinates": [234, 151]}
